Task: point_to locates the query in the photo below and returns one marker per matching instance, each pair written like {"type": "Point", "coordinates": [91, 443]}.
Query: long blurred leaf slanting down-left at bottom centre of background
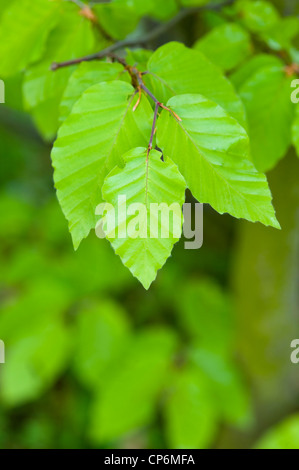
{"type": "Point", "coordinates": [128, 400]}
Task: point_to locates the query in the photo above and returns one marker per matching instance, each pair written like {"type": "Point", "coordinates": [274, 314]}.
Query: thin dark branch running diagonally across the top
{"type": "Point", "coordinates": [156, 32]}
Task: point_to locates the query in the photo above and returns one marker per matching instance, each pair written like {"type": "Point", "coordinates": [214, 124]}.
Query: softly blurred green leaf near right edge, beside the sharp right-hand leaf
{"type": "Point", "coordinates": [266, 96]}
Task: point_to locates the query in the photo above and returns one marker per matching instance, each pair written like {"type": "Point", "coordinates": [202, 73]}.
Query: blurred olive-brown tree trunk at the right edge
{"type": "Point", "coordinates": [266, 284]}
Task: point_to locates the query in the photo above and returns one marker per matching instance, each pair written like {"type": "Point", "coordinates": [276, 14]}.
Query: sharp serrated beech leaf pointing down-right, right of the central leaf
{"type": "Point", "coordinates": [211, 151]}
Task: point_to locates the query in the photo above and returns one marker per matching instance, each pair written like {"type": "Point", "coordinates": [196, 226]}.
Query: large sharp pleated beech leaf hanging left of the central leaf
{"type": "Point", "coordinates": [101, 127]}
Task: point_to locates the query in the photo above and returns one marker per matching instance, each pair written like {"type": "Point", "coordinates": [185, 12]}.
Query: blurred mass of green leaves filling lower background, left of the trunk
{"type": "Point", "coordinates": [76, 324]}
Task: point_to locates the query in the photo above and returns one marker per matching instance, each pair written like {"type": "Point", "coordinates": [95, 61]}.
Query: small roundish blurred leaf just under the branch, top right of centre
{"type": "Point", "coordinates": [227, 45]}
